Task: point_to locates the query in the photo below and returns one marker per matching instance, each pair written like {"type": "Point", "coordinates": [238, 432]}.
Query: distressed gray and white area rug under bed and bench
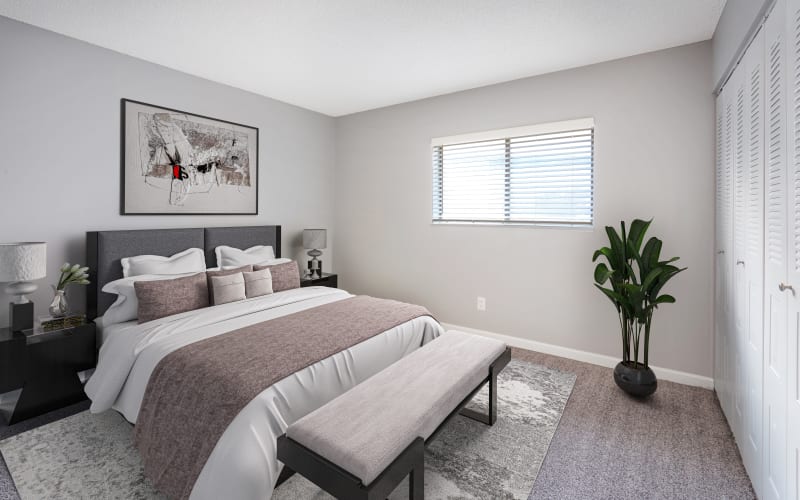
{"type": "Point", "coordinates": [92, 456]}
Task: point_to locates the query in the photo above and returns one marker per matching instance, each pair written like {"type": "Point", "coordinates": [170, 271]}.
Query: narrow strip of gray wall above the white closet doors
{"type": "Point", "coordinates": [738, 18]}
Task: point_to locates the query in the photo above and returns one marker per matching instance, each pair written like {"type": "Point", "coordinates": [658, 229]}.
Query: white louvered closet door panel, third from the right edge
{"type": "Point", "coordinates": [752, 266]}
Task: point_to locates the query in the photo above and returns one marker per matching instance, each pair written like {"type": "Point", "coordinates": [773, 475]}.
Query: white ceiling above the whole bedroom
{"type": "Point", "coordinates": [341, 57]}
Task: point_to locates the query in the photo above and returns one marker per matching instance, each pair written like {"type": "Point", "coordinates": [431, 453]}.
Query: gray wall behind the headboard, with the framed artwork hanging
{"type": "Point", "coordinates": [60, 146]}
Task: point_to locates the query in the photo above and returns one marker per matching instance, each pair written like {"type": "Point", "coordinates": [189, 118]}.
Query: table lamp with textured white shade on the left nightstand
{"type": "Point", "coordinates": [21, 263]}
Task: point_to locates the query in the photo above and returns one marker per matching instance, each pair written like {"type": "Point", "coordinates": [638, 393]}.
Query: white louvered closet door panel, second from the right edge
{"type": "Point", "coordinates": [776, 260]}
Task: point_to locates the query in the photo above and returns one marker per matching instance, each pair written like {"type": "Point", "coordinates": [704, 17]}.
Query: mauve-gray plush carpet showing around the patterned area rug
{"type": "Point", "coordinates": [676, 445]}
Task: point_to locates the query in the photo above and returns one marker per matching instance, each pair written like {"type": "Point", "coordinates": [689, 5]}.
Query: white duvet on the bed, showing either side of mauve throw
{"type": "Point", "coordinates": [243, 464]}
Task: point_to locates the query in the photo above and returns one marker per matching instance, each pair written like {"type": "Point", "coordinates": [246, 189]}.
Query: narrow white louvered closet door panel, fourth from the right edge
{"type": "Point", "coordinates": [739, 311]}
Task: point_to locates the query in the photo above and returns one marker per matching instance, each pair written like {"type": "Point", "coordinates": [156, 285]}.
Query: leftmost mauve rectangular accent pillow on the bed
{"type": "Point", "coordinates": [158, 299]}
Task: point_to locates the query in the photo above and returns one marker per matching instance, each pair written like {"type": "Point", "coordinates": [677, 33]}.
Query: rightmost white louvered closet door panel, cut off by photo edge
{"type": "Point", "coordinates": [793, 345]}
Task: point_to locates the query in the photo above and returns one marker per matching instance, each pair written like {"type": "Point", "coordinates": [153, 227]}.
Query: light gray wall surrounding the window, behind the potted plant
{"type": "Point", "coordinates": [654, 158]}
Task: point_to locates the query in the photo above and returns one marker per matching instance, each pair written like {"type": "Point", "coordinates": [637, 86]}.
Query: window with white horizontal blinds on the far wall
{"type": "Point", "coordinates": [540, 174]}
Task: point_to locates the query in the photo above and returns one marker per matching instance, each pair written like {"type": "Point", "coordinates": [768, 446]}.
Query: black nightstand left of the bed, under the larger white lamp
{"type": "Point", "coordinates": [45, 366]}
